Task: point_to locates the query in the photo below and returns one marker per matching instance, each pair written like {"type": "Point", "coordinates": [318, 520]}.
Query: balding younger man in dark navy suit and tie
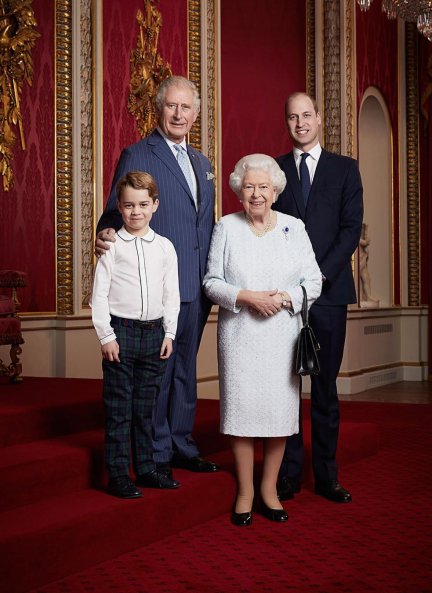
{"type": "Point", "coordinates": [325, 191]}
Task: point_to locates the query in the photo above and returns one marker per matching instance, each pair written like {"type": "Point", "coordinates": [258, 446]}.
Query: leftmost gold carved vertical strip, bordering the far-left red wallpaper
{"type": "Point", "coordinates": [63, 164]}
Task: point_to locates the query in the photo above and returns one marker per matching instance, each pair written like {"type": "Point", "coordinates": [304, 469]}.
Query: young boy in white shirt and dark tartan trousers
{"type": "Point", "coordinates": [135, 305]}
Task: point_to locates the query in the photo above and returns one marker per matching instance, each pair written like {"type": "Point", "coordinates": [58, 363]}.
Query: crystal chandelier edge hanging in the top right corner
{"type": "Point", "coordinates": [414, 11]}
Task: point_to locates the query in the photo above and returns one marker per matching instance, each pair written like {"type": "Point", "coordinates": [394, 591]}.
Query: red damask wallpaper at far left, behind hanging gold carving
{"type": "Point", "coordinates": [27, 238]}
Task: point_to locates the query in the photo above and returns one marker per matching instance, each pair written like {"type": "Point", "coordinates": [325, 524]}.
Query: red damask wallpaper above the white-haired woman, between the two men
{"type": "Point", "coordinates": [263, 60]}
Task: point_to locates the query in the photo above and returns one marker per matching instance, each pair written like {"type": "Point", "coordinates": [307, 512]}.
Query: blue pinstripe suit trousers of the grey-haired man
{"type": "Point", "coordinates": [174, 413]}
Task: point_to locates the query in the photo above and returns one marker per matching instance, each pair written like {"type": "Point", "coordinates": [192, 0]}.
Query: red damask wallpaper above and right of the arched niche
{"type": "Point", "coordinates": [377, 65]}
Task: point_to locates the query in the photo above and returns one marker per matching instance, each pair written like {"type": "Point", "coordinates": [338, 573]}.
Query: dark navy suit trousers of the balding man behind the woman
{"type": "Point", "coordinates": [329, 325]}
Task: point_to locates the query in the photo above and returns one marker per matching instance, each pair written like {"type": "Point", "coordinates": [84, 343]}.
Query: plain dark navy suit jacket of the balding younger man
{"type": "Point", "coordinates": [333, 219]}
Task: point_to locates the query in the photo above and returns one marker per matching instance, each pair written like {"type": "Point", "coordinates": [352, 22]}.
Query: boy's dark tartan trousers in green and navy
{"type": "Point", "coordinates": [130, 389]}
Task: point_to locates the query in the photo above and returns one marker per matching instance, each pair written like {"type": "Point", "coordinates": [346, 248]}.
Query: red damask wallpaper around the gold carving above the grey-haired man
{"type": "Point", "coordinates": [120, 31]}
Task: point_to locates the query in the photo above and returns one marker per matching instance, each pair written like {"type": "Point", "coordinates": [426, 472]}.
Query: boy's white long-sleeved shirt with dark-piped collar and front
{"type": "Point", "coordinates": [137, 278]}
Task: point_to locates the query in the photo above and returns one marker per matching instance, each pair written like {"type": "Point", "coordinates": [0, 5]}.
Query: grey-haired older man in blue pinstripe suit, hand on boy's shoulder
{"type": "Point", "coordinates": [185, 215]}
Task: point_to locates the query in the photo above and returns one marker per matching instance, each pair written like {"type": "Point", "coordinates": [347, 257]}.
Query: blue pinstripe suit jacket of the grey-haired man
{"type": "Point", "coordinates": [176, 218]}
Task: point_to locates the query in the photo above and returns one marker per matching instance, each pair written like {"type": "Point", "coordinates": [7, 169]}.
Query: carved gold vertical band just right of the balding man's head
{"type": "Point", "coordinates": [332, 76]}
